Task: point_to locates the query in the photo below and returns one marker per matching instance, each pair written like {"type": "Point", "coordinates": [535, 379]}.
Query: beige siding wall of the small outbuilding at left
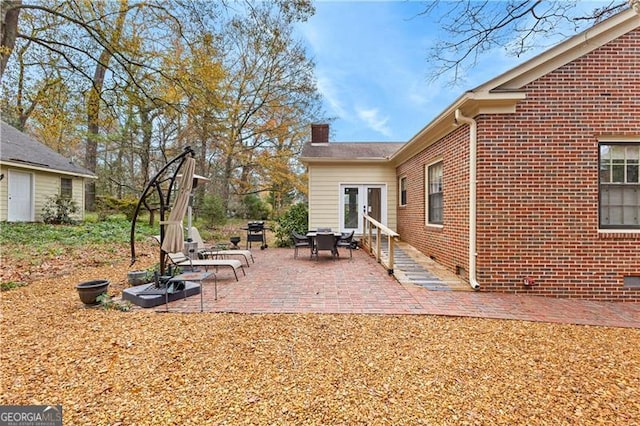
{"type": "Point", "coordinates": [46, 185]}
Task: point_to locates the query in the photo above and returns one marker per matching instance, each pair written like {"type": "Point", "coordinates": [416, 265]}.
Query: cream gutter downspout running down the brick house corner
{"type": "Point", "coordinates": [473, 143]}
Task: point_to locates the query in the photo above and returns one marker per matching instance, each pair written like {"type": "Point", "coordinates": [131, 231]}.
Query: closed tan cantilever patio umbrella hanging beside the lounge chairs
{"type": "Point", "coordinates": [174, 232]}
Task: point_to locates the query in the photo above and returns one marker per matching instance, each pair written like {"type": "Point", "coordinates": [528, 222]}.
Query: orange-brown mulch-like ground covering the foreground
{"type": "Point", "coordinates": [141, 367]}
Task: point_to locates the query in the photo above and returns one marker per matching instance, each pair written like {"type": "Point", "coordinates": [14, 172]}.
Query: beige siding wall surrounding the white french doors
{"type": "Point", "coordinates": [324, 190]}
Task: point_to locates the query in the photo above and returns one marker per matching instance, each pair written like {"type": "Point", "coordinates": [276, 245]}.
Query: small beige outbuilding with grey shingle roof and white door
{"type": "Point", "coordinates": [32, 173]}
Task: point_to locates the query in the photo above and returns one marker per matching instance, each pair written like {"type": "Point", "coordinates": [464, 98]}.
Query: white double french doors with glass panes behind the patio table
{"type": "Point", "coordinates": [357, 199]}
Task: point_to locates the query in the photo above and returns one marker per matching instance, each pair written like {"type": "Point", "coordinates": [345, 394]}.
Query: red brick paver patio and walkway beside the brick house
{"type": "Point", "coordinates": [278, 283]}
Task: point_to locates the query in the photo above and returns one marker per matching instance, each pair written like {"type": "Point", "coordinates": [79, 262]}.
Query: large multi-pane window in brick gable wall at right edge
{"type": "Point", "coordinates": [619, 186]}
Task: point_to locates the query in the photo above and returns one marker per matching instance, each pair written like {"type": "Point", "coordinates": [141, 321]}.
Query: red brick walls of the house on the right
{"type": "Point", "coordinates": [538, 184]}
